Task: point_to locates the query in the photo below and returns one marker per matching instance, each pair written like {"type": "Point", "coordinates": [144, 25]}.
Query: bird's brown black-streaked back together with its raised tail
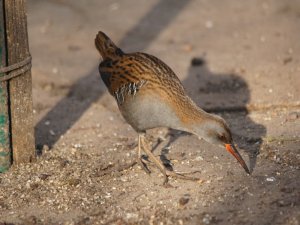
{"type": "Point", "coordinates": [118, 69]}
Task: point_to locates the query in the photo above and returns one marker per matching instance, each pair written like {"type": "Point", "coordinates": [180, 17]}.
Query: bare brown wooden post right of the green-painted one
{"type": "Point", "coordinates": [19, 87]}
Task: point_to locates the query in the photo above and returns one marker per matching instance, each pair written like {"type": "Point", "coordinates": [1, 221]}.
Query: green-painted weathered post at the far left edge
{"type": "Point", "coordinates": [5, 149]}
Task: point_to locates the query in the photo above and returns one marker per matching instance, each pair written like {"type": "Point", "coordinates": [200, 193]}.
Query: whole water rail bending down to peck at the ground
{"type": "Point", "coordinates": [150, 95]}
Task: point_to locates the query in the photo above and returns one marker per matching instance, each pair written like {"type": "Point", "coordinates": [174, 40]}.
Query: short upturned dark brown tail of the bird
{"type": "Point", "coordinates": [106, 47]}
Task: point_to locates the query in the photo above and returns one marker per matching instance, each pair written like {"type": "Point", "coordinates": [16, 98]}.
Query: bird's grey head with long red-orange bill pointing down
{"type": "Point", "coordinates": [215, 131]}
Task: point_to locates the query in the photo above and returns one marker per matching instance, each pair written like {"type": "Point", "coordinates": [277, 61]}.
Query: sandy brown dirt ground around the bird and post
{"type": "Point", "coordinates": [239, 59]}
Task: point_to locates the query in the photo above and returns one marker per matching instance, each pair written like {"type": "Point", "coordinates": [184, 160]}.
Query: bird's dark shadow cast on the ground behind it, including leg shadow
{"type": "Point", "coordinates": [227, 95]}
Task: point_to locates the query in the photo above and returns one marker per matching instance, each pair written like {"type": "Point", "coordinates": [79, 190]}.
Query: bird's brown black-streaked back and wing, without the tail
{"type": "Point", "coordinates": [129, 67]}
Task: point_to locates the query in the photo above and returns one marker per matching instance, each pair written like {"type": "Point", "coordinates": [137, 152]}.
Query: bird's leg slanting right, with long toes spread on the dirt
{"type": "Point", "coordinates": [161, 167]}
